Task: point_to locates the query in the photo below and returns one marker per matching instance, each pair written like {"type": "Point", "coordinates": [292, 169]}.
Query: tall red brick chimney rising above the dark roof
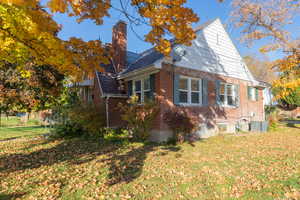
{"type": "Point", "coordinates": [119, 45]}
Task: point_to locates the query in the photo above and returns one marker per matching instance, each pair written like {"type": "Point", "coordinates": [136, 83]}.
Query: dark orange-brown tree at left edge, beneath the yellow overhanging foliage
{"type": "Point", "coordinates": [31, 90]}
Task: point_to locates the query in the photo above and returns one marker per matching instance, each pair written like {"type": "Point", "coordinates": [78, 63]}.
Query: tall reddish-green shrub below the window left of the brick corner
{"type": "Point", "coordinates": [139, 117]}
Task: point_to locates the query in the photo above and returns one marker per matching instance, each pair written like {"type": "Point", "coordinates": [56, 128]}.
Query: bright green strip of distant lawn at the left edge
{"type": "Point", "coordinates": [18, 132]}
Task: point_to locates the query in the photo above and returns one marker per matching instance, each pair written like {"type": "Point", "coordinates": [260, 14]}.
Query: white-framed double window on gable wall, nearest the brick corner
{"type": "Point", "coordinates": [189, 90]}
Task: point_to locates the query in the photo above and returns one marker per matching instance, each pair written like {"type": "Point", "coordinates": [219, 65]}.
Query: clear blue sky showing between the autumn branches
{"type": "Point", "coordinates": [206, 10]}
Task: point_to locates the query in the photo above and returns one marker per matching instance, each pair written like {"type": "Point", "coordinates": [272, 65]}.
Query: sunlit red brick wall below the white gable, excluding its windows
{"type": "Point", "coordinates": [211, 114]}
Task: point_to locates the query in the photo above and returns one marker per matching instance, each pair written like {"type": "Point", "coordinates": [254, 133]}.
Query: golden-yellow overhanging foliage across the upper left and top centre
{"type": "Point", "coordinates": [29, 34]}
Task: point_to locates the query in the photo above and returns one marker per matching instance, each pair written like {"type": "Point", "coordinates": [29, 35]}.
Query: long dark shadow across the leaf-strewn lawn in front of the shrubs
{"type": "Point", "coordinates": [125, 163]}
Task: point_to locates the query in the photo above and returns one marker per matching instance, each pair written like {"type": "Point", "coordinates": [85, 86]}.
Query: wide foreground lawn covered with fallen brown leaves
{"type": "Point", "coordinates": [258, 166]}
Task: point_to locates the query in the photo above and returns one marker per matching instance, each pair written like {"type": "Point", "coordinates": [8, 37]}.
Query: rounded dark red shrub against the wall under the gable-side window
{"type": "Point", "coordinates": [181, 123]}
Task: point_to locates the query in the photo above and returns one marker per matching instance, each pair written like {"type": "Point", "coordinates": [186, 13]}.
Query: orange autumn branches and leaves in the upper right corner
{"type": "Point", "coordinates": [268, 20]}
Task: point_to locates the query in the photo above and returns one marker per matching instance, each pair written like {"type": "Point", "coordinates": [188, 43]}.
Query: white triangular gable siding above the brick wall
{"type": "Point", "coordinates": [213, 51]}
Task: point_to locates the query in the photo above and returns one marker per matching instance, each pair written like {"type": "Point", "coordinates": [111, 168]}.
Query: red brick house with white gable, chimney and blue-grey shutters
{"type": "Point", "coordinates": [209, 79]}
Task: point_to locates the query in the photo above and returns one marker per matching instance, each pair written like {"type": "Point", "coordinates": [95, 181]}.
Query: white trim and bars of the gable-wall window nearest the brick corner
{"type": "Point", "coordinates": [189, 91]}
